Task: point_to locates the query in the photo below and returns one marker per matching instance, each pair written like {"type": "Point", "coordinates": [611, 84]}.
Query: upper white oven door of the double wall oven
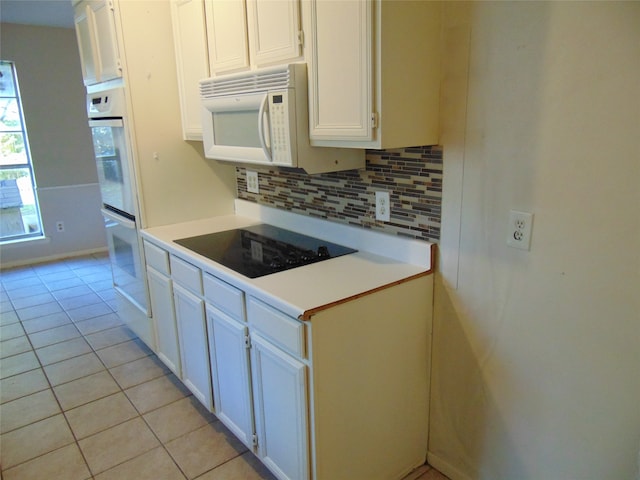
{"type": "Point", "coordinates": [115, 175]}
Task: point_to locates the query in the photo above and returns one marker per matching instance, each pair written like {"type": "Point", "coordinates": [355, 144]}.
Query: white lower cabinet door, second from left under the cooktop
{"type": "Point", "coordinates": [194, 349]}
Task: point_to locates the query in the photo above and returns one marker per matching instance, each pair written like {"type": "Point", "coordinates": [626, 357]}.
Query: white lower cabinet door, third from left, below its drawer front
{"type": "Point", "coordinates": [230, 372]}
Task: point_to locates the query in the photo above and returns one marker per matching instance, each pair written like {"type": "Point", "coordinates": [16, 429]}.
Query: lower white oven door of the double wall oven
{"type": "Point", "coordinates": [127, 265]}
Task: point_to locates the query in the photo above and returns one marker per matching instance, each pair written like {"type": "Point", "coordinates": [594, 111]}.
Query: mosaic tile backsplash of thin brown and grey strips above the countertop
{"type": "Point", "coordinates": [412, 176]}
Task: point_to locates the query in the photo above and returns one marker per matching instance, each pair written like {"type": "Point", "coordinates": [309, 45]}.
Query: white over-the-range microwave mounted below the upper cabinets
{"type": "Point", "coordinates": [261, 117]}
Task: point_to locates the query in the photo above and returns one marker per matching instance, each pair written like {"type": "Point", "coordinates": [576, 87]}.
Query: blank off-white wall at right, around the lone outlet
{"type": "Point", "coordinates": [537, 354]}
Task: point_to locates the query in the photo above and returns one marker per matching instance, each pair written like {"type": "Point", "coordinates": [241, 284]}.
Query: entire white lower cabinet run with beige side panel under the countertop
{"type": "Point", "coordinates": [305, 395]}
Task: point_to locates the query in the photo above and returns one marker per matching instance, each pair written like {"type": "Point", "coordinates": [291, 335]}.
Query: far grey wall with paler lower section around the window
{"type": "Point", "coordinates": [53, 98]}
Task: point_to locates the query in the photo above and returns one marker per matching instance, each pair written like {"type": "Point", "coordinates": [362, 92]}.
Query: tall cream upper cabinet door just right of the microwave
{"type": "Point", "coordinates": [341, 71]}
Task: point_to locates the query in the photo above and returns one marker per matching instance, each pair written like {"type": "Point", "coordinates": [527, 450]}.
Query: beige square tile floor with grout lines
{"type": "Point", "coordinates": [82, 398]}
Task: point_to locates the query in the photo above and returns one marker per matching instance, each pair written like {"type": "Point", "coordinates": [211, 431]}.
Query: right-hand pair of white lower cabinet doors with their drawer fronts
{"type": "Point", "coordinates": [260, 389]}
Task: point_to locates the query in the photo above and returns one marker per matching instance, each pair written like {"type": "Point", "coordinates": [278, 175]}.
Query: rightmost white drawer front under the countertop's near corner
{"type": "Point", "coordinates": [282, 330]}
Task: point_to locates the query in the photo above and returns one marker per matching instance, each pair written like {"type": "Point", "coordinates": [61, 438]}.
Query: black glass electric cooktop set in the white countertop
{"type": "Point", "coordinates": [262, 249]}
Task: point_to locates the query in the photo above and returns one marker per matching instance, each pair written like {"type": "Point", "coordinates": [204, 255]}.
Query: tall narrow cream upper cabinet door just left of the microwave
{"type": "Point", "coordinates": [192, 64]}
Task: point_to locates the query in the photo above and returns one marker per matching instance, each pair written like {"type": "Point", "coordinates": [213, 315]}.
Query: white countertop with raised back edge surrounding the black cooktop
{"type": "Point", "coordinates": [301, 291]}
